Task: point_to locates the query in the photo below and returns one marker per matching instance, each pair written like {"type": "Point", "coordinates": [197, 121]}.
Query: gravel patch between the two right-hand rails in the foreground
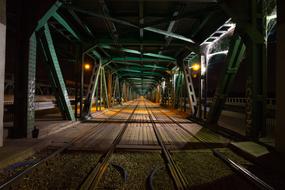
{"type": "Point", "coordinates": [205, 171]}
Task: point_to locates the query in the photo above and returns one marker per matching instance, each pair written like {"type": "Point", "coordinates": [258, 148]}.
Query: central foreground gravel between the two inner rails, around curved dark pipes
{"type": "Point", "coordinates": [138, 166]}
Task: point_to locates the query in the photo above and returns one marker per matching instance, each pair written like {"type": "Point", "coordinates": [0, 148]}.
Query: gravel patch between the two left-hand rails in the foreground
{"type": "Point", "coordinates": [65, 171]}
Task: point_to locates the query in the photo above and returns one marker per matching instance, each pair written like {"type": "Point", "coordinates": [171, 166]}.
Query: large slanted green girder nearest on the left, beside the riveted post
{"type": "Point", "coordinates": [56, 75]}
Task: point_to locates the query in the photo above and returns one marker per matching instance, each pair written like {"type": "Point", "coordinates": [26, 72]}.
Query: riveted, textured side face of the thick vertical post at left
{"type": "Point", "coordinates": [31, 84]}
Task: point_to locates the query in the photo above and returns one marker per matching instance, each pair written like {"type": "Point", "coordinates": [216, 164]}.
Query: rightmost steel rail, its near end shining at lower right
{"type": "Point", "coordinates": [233, 165]}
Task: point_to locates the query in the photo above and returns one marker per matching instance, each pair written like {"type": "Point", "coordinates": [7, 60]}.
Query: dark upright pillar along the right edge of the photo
{"type": "Point", "coordinates": [280, 78]}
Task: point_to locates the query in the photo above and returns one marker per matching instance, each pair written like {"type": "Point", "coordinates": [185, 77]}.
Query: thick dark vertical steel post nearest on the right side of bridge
{"type": "Point", "coordinates": [256, 87]}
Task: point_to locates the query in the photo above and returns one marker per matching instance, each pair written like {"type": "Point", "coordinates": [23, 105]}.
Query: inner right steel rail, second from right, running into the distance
{"type": "Point", "coordinates": [176, 173]}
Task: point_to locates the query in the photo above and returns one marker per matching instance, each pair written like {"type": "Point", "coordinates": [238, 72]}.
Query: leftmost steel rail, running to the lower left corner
{"type": "Point", "coordinates": [89, 132]}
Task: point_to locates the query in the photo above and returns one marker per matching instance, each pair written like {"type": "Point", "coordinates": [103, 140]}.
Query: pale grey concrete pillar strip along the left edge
{"type": "Point", "coordinates": [2, 63]}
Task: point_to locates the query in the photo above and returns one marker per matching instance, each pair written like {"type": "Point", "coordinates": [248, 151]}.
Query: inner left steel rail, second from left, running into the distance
{"type": "Point", "coordinates": [93, 179]}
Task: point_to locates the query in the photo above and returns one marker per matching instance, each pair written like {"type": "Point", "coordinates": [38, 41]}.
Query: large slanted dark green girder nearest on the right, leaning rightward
{"type": "Point", "coordinates": [234, 57]}
